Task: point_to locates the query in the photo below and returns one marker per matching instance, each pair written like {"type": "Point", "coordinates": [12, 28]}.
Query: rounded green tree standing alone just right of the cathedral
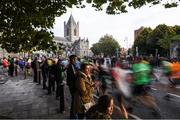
{"type": "Point", "coordinates": [106, 45]}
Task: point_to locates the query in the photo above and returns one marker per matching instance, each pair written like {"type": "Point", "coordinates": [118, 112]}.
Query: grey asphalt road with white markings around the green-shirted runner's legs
{"type": "Point", "coordinates": [169, 106]}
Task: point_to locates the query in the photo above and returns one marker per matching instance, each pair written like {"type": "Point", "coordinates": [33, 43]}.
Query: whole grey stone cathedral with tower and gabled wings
{"type": "Point", "coordinates": [71, 41]}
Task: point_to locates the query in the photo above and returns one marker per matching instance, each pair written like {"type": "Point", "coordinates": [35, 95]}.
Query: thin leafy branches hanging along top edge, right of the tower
{"type": "Point", "coordinates": [120, 6]}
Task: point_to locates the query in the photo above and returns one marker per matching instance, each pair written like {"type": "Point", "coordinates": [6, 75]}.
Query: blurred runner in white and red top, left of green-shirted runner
{"type": "Point", "coordinates": [122, 79]}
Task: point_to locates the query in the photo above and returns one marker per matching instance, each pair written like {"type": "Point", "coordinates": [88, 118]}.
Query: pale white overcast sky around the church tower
{"type": "Point", "coordinates": [95, 24]}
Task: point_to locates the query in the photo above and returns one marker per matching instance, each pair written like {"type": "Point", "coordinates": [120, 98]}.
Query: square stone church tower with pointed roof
{"type": "Point", "coordinates": [71, 29]}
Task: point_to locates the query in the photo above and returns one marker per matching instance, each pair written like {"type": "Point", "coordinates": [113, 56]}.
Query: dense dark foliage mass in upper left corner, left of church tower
{"type": "Point", "coordinates": [25, 24]}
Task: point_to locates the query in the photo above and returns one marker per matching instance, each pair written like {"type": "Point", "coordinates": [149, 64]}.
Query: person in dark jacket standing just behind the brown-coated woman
{"type": "Point", "coordinates": [71, 78]}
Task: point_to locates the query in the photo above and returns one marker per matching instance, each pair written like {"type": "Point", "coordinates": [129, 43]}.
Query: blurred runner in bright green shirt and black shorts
{"type": "Point", "coordinates": [140, 84]}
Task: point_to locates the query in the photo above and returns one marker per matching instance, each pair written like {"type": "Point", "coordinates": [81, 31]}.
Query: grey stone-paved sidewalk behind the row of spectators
{"type": "Point", "coordinates": [21, 98]}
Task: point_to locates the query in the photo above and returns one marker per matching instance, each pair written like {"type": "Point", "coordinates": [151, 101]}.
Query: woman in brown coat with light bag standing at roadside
{"type": "Point", "coordinates": [84, 94]}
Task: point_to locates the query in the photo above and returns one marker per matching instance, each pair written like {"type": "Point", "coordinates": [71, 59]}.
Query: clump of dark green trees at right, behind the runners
{"type": "Point", "coordinates": [158, 39]}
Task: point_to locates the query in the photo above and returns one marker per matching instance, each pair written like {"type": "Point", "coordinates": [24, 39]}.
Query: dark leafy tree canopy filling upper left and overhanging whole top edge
{"type": "Point", "coordinates": [22, 20]}
